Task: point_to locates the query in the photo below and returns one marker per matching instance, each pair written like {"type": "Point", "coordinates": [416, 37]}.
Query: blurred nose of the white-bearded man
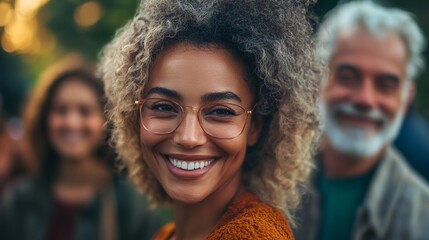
{"type": "Point", "coordinates": [365, 96]}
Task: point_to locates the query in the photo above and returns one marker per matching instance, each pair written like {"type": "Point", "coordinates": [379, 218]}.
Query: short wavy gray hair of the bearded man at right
{"type": "Point", "coordinates": [377, 20]}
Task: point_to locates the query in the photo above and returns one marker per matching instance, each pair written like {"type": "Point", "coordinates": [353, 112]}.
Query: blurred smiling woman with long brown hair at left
{"type": "Point", "coordinates": [75, 194]}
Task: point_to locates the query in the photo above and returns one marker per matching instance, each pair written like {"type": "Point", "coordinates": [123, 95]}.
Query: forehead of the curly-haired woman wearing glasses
{"type": "Point", "coordinates": [193, 71]}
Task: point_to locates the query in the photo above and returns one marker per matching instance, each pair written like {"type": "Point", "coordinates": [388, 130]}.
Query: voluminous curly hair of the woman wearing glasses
{"type": "Point", "coordinates": [272, 39]}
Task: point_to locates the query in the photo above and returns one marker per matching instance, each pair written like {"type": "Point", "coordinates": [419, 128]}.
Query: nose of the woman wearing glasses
{"type": "Point", "coordinates": [190, 134]}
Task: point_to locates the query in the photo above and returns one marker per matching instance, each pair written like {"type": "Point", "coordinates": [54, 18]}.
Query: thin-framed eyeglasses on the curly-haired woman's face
{"type": "Point", "coordinates": [219, 120]}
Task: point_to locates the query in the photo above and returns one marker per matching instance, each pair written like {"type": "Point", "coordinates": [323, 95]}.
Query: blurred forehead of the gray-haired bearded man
{"type": "Point", "coordinates": [374, 54]}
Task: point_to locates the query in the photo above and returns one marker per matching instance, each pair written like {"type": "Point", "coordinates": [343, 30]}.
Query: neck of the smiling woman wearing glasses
{"type": "Point", "coordinates": [188, 217]}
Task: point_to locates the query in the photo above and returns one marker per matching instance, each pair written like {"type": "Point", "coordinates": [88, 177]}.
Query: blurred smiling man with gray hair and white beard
{"type": "Point", "coordinates": [363, 188]}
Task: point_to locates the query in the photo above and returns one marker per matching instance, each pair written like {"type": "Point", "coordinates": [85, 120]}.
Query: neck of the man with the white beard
{"type": "Point", "coordinates": [339, 165]}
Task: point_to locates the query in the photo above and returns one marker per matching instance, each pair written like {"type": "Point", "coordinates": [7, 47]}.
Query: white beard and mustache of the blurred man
{"type": "Point", "coordinates": [357, 141]}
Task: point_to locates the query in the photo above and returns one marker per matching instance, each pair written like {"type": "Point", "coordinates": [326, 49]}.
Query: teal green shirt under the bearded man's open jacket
{"type": "Point", "coordinates": [340, 200]}
